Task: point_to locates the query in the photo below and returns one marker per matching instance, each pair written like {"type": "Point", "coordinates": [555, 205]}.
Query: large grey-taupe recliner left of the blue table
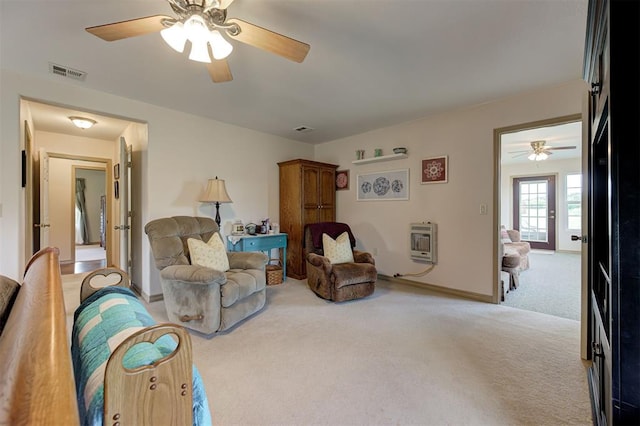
{"type": "Point", "coordinates": [206, 299]}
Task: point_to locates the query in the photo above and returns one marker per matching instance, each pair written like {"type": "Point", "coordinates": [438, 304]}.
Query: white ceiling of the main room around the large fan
{"type": "Point", "coordinates": [372, 63]}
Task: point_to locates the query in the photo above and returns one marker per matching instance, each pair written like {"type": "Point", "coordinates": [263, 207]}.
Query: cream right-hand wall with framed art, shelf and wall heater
{"type": "Point", "coordinates": [465, 237]}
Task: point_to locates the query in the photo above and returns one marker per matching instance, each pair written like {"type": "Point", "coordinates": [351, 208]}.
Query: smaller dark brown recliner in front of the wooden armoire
{"type": "Point", "coordinates": [337, 281]}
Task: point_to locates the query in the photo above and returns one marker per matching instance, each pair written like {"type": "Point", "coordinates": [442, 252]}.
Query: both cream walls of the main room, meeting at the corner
{"type": "Point", "coordinates": [185, 150]}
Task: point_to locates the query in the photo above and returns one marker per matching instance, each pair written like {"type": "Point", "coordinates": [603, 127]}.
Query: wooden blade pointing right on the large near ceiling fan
{"type": "Point", "coordinates": [272, 42]}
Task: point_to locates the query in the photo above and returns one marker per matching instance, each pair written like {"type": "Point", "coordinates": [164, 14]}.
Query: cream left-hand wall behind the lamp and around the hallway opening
{"type": "Point", "coordinates": [183, 152]}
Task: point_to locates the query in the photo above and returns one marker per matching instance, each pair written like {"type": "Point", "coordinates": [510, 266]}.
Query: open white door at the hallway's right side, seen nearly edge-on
{"type": "Point", "coordinates": [124, 227]}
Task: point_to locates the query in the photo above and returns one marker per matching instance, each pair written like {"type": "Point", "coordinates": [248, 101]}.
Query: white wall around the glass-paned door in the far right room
{"type": "Point", "coordinates": [560, 168]}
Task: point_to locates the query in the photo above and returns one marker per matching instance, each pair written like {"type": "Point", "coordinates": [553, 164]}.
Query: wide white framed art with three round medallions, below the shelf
{"type": "Point", "coordinates": [389, 185]}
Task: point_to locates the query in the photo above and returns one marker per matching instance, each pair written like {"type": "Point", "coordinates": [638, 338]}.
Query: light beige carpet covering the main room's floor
{"type": "Point", "coordinates": [404, 356]}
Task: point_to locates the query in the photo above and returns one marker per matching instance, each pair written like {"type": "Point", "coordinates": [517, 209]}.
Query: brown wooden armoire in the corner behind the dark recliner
{"type": "Point", "coordinates": [307, 195]}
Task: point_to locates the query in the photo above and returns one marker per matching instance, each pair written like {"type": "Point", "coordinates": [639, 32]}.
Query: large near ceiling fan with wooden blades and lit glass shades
{"type": "Point", "coordinates": [202, 22]}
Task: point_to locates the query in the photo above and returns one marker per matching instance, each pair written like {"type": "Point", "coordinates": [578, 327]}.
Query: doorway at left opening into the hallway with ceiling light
{"type": "Point", "coordinates": [49, 129]}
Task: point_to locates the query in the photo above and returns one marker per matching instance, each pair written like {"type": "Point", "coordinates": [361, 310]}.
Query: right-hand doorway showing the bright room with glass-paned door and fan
{"type": "Point", "coordinates": [536, 166]}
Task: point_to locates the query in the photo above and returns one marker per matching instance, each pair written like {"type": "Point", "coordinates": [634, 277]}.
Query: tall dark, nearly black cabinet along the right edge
{"type": "Point", "coordinates": [613, 241]}
